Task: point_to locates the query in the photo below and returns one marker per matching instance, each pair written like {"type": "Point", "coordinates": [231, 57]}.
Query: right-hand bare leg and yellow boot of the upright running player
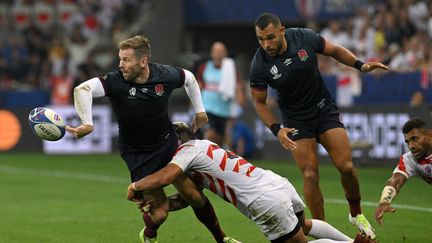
{"type": "Point", "coordinates": [337, 144]}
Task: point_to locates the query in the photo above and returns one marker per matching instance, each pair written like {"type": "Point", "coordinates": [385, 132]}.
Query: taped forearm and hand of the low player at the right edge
{"type": "Point", "coordinates": [388, 194]}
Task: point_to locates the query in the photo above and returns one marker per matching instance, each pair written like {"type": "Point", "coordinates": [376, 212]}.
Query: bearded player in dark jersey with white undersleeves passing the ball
{"type": "Point", "coordinates": [139, 93]}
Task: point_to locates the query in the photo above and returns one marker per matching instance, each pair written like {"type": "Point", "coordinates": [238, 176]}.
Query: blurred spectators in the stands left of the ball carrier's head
{"type": "Point", "coordinates": [52, 42]}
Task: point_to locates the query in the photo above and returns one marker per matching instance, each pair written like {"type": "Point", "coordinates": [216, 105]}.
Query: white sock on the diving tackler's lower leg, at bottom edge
{"type": "Point", "coordinates": [323, 230]}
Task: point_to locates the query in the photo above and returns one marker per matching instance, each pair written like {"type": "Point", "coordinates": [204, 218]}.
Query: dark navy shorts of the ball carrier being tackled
{"type": "Point", "coordinates": [141, 164]}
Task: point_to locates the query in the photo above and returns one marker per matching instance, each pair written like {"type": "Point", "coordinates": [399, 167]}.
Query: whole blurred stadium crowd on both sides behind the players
{"type": "Point", "coordinates": [52, 44]}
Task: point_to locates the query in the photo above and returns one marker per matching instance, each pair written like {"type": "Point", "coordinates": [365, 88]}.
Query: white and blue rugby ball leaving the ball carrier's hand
{"type": "Point", "coordinates": [47, 124]}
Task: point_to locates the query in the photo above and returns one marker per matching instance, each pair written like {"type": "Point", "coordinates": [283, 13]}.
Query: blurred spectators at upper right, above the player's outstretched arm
{"type": "Point", "coordinates": [397, 33]}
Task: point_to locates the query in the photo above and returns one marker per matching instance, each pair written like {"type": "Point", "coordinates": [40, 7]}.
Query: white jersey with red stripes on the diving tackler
{"type": "Point", "coordinates": [224, 173]}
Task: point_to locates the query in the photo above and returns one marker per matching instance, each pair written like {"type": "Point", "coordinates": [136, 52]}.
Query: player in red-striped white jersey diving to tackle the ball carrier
{"type": "Point", "coordinates": [263, 196]}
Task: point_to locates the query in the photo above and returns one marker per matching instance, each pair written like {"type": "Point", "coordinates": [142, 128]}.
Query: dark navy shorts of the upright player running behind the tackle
{"type": "Point", "coordinates": [326, 118]}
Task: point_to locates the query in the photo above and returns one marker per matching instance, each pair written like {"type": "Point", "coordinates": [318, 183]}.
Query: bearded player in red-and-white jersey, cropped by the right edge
{"type": "Point", "coordinates": [417, 162]}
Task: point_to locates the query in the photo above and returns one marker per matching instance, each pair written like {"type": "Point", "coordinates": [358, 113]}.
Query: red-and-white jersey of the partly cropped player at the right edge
{"type": "Point", "coordinates": [409, 166]}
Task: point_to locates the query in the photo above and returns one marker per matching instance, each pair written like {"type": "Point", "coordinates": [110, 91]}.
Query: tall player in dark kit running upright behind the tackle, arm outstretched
{"type": "Point", "coordinates": [287, 61]}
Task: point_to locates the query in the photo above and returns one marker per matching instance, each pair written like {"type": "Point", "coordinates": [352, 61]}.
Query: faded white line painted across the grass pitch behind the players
{"type": "Point", "coordinates": [124, 180]}
